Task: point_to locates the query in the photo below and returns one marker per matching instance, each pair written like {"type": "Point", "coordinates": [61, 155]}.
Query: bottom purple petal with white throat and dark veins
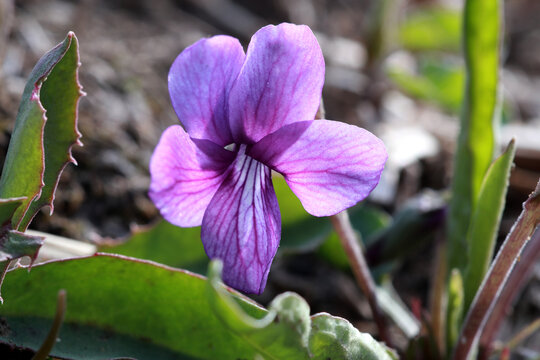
{"type": "Point", "coordinates": [242, 225]}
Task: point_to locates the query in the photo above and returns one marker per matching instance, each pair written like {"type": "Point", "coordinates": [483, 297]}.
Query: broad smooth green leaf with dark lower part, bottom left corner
{"type": "Point", "coordinates": [119, 307]}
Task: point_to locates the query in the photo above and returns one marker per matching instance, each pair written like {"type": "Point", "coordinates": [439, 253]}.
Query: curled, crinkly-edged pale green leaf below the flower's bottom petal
{"type": "Point", "coordinates": [287, 331]}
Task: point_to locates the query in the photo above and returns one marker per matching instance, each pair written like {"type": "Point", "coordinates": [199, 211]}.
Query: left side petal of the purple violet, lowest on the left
{"type": "Point", "coordinates": [185, 176]}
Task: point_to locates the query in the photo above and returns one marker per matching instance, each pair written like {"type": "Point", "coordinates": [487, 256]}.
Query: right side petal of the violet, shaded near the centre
{"type": "Point", "coordinates": [329, 165]}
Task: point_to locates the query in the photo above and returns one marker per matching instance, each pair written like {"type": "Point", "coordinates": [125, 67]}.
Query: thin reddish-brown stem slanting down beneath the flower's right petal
{"type": "Point", "coordinates": [349, 240]}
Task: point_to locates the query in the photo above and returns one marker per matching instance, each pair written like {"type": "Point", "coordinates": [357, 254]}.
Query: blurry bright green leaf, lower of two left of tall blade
{"type": "Point", "coordinates": [438, 82]}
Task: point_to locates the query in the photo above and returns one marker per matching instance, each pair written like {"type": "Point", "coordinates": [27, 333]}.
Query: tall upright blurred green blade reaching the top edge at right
{"type": "Point", "coordinates": [482, 36]}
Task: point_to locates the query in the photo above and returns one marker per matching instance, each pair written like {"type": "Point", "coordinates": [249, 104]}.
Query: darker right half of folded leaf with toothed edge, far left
{"type": "Point", "coordinates": [59, 95]}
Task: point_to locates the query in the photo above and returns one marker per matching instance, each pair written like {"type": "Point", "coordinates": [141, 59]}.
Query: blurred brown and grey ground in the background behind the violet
{"type": "Point", "coordinates": [392, 66]}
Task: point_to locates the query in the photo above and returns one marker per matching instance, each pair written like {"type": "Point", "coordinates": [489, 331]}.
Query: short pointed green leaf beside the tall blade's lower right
{"type": "Point", "coordinates": [485, 223]}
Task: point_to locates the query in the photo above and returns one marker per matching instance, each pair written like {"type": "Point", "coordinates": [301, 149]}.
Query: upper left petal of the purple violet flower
{"type": "Point", "coordinates": [199, 82]}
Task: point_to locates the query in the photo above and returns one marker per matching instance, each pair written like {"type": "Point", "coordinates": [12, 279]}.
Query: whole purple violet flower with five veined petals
{"type": "Point", "coordinates": [245, 115]}
